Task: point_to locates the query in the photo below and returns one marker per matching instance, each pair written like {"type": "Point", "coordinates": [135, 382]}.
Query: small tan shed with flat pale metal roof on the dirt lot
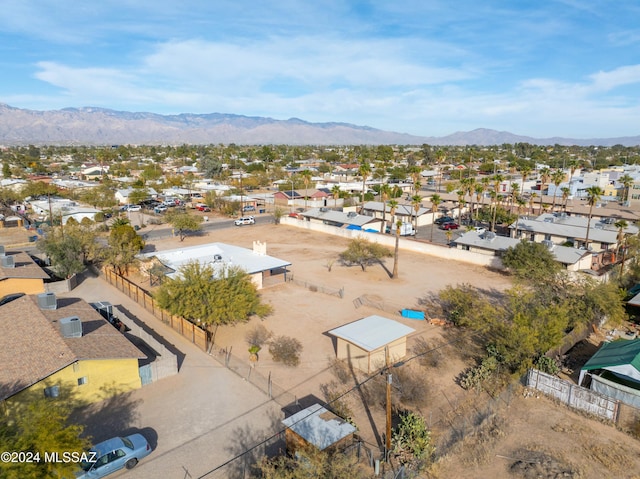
{"type": "Point", "coordinates": [364, 342]}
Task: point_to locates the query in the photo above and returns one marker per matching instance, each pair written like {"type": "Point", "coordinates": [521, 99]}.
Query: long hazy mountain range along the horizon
{"type": "Point", "coordinates": [99, 126]}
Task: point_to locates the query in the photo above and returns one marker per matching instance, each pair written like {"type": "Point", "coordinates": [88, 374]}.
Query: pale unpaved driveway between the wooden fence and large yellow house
{"type": "Point", "coordinates": [195, 420]}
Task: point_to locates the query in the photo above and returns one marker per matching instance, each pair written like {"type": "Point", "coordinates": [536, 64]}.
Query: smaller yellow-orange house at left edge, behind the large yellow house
{"type": "Point", "coordinates": [20, 274]}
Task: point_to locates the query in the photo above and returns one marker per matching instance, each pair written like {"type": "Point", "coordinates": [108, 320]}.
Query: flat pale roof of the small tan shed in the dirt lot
{"type": "Point", "coordinates": [372, 332]}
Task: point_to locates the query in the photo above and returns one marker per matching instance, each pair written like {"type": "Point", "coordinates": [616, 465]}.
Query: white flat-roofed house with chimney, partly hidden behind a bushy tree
{"type": "Point", "coordinates": [219, 256]}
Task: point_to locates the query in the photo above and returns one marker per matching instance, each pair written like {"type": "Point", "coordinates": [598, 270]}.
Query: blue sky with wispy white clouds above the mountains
{"type": "Point", "coordinates": [542, 68]}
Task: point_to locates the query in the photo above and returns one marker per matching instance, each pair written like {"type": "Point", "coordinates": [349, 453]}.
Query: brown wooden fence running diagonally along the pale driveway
{"type": "Point", "coordinates": [187, 329]}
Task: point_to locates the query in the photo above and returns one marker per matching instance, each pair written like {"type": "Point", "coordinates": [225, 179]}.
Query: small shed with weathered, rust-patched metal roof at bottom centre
{"type": "Point", "coordinates": [318, 427]}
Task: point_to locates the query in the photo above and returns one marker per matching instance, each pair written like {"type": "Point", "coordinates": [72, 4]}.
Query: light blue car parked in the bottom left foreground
{"type": "Point", "coordinates": [114, 454]}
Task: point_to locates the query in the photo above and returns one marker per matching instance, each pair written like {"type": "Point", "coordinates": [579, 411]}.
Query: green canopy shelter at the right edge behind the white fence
{"type": "Point", "coordinates": [619, 366]}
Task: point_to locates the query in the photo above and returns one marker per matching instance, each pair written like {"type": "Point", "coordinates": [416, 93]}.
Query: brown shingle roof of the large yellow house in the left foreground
{"type": "Point", "coordinates": [32, 347]}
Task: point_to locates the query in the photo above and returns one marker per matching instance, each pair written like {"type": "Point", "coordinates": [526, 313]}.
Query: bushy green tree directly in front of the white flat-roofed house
{"type": "Point", "coordinates": [209, 297]}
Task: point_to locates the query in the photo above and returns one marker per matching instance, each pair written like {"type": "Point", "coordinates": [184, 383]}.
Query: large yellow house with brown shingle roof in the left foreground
{"type": "Point", "coordinates": [53, 346]}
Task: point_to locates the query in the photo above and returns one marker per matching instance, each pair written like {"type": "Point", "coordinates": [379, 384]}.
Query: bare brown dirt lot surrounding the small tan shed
{"type": "Point", "coordinates": [523, 435]}
